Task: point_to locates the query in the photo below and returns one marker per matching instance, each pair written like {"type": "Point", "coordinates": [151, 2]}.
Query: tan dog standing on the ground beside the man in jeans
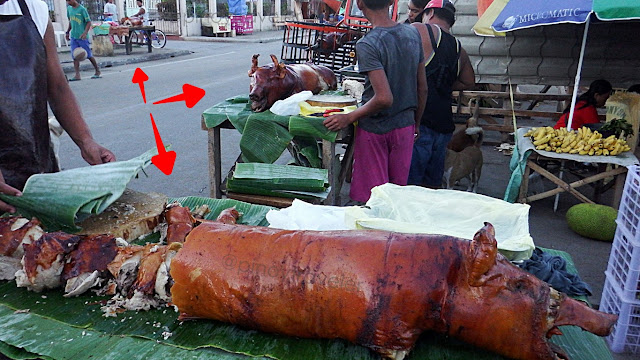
{"type": "Point", "coordinates": [464, 164]}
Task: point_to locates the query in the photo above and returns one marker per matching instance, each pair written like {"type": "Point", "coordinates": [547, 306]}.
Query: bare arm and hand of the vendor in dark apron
{"type": "Point", "coordinates": [66, 108]}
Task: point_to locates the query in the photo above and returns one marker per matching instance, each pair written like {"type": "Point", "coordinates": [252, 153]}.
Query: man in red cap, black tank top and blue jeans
{"type": "Point", "coordinates": [448, 68]}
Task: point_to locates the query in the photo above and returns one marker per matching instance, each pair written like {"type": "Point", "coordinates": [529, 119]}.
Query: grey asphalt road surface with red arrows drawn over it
{"type": "Point", "coordinates": [119, 119]}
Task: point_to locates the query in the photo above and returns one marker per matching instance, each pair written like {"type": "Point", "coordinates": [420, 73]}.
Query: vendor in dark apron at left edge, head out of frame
{"type": "Point", "coordinates": [30, 78]}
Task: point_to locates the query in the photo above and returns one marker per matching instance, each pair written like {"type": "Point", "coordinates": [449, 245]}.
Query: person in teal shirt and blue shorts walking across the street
{"type": "Point", "coordinates": [79, 26]}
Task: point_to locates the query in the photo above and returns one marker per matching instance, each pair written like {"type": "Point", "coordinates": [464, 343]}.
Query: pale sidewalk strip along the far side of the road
{"type": "Point", "coordinates": [139, 53]}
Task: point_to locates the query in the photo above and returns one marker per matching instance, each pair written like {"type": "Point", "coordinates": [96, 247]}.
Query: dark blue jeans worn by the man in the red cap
{"type": "Point", "coordinates": [427, 161]}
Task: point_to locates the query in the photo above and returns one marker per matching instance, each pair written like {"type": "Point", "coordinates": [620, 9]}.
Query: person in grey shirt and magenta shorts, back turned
{"type": "Point", "coordinates": [395, 93]}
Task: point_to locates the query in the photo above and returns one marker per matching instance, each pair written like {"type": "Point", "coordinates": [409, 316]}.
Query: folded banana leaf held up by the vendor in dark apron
{"type": "Point", "coordinates": [60, 199]}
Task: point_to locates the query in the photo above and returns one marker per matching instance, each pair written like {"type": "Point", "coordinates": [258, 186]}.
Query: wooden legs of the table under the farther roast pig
{"type": "Point", "coordinates": [336, 176]}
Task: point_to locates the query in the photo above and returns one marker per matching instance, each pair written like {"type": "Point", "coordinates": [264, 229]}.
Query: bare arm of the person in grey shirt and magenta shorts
{"type": "Point", "coordinates": [382, 99]}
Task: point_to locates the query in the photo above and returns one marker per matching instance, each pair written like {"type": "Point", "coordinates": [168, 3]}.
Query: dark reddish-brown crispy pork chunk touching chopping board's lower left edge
{"type": "Point", "coordinates": [93, 253]}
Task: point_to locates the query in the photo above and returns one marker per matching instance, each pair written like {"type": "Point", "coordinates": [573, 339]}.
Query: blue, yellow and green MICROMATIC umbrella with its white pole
{"type": "Point", "coordinates": [522, 14]}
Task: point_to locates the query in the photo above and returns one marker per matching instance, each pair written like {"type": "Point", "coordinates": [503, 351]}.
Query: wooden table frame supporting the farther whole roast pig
{"type": "Point", "coordinates": [220, 117]}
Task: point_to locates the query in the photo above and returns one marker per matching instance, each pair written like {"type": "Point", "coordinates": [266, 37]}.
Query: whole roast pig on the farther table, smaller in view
{"type": "Point", "coordinates": [278, 81]}
